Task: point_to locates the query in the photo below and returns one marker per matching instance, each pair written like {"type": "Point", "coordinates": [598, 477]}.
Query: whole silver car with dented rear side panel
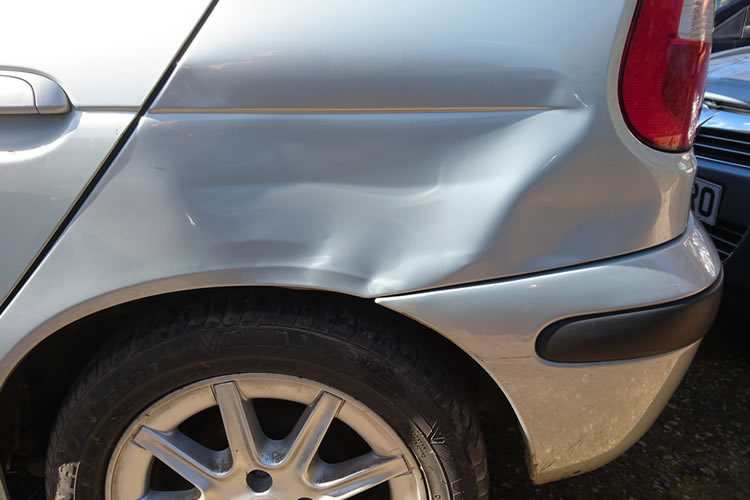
{"type": "Point", "coordinates": [286, 249]}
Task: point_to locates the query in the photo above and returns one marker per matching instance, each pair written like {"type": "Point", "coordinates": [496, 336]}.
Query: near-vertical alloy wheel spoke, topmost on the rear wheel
{"type": "Point", "coordinates": [244, 433]}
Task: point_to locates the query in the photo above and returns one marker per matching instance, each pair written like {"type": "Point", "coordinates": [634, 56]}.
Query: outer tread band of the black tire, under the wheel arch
{"type": "Point", "coordinates": [287, 309]}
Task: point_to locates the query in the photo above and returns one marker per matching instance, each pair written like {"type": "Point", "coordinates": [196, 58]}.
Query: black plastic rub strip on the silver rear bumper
{"type": "Point", "coordinates": [632, 333]}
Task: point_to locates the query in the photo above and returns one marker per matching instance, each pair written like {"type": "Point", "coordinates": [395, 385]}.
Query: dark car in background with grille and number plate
{"type": "Point", "coordinates": [721, 194]}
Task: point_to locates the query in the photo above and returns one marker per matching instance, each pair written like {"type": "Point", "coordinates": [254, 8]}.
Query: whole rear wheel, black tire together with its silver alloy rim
{"type": "Point", "coordinates": [226, 340]}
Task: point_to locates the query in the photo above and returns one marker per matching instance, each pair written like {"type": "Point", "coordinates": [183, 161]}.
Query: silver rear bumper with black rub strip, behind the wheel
{"type": "Point", "coordinates": [579, 414]}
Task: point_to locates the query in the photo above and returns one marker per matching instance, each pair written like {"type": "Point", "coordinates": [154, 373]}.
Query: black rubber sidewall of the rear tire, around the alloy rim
{"type": "Point", "coordinates": [96, 423]}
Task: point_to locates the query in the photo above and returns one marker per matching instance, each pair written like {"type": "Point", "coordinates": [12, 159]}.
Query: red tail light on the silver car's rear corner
{"type": "Point", "coordinates": [663, 73]}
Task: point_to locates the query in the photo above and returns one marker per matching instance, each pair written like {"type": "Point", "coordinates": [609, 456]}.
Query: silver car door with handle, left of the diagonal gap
{"type": "Point", "coordinates": [73, 77]}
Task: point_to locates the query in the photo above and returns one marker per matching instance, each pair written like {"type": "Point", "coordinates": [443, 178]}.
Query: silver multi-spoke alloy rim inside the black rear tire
{"type": "Point", "coordinates": [166, 442]}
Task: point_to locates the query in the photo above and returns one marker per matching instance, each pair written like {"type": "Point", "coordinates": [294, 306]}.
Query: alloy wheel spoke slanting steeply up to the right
{"type": "Point", "coordinates": [304, 440]}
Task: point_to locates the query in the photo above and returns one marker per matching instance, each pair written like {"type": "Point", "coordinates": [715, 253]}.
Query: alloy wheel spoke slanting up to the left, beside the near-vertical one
{"type": "Point", "coordinates": [180, 453]}
